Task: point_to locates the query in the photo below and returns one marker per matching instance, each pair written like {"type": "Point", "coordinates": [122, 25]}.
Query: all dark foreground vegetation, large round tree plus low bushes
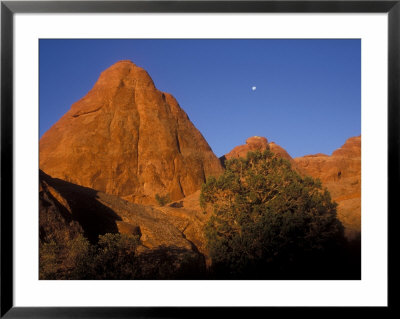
{"type": "Point", "coordinates": [267, 222]}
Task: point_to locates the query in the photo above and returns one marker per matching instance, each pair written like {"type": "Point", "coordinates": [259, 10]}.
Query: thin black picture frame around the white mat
{"type": "Point", "coordinates": [9, 8]}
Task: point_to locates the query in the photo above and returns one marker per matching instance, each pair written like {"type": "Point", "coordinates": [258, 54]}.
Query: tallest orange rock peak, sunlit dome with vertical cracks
{"type": "Point", "coordinates": [126, 138]}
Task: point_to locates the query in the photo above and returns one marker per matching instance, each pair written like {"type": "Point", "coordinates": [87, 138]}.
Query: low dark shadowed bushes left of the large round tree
{"type": "Point", "coordinates": [113, 257]}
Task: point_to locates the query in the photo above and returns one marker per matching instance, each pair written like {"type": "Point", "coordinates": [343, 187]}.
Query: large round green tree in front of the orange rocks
{"type": "Point", "coordinates": [269, 222]}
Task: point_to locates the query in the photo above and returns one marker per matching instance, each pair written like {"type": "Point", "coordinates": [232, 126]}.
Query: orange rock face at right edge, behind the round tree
{"type": "Point", "coordinates": [341, 174]}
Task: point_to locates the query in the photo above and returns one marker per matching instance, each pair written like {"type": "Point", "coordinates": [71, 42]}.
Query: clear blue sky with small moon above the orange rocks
{"type": "Point", "coordinates": [307, 97]}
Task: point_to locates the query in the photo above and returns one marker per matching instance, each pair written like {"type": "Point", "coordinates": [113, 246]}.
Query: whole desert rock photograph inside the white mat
{"type": "Point", "coordinates": [199, 159]}
